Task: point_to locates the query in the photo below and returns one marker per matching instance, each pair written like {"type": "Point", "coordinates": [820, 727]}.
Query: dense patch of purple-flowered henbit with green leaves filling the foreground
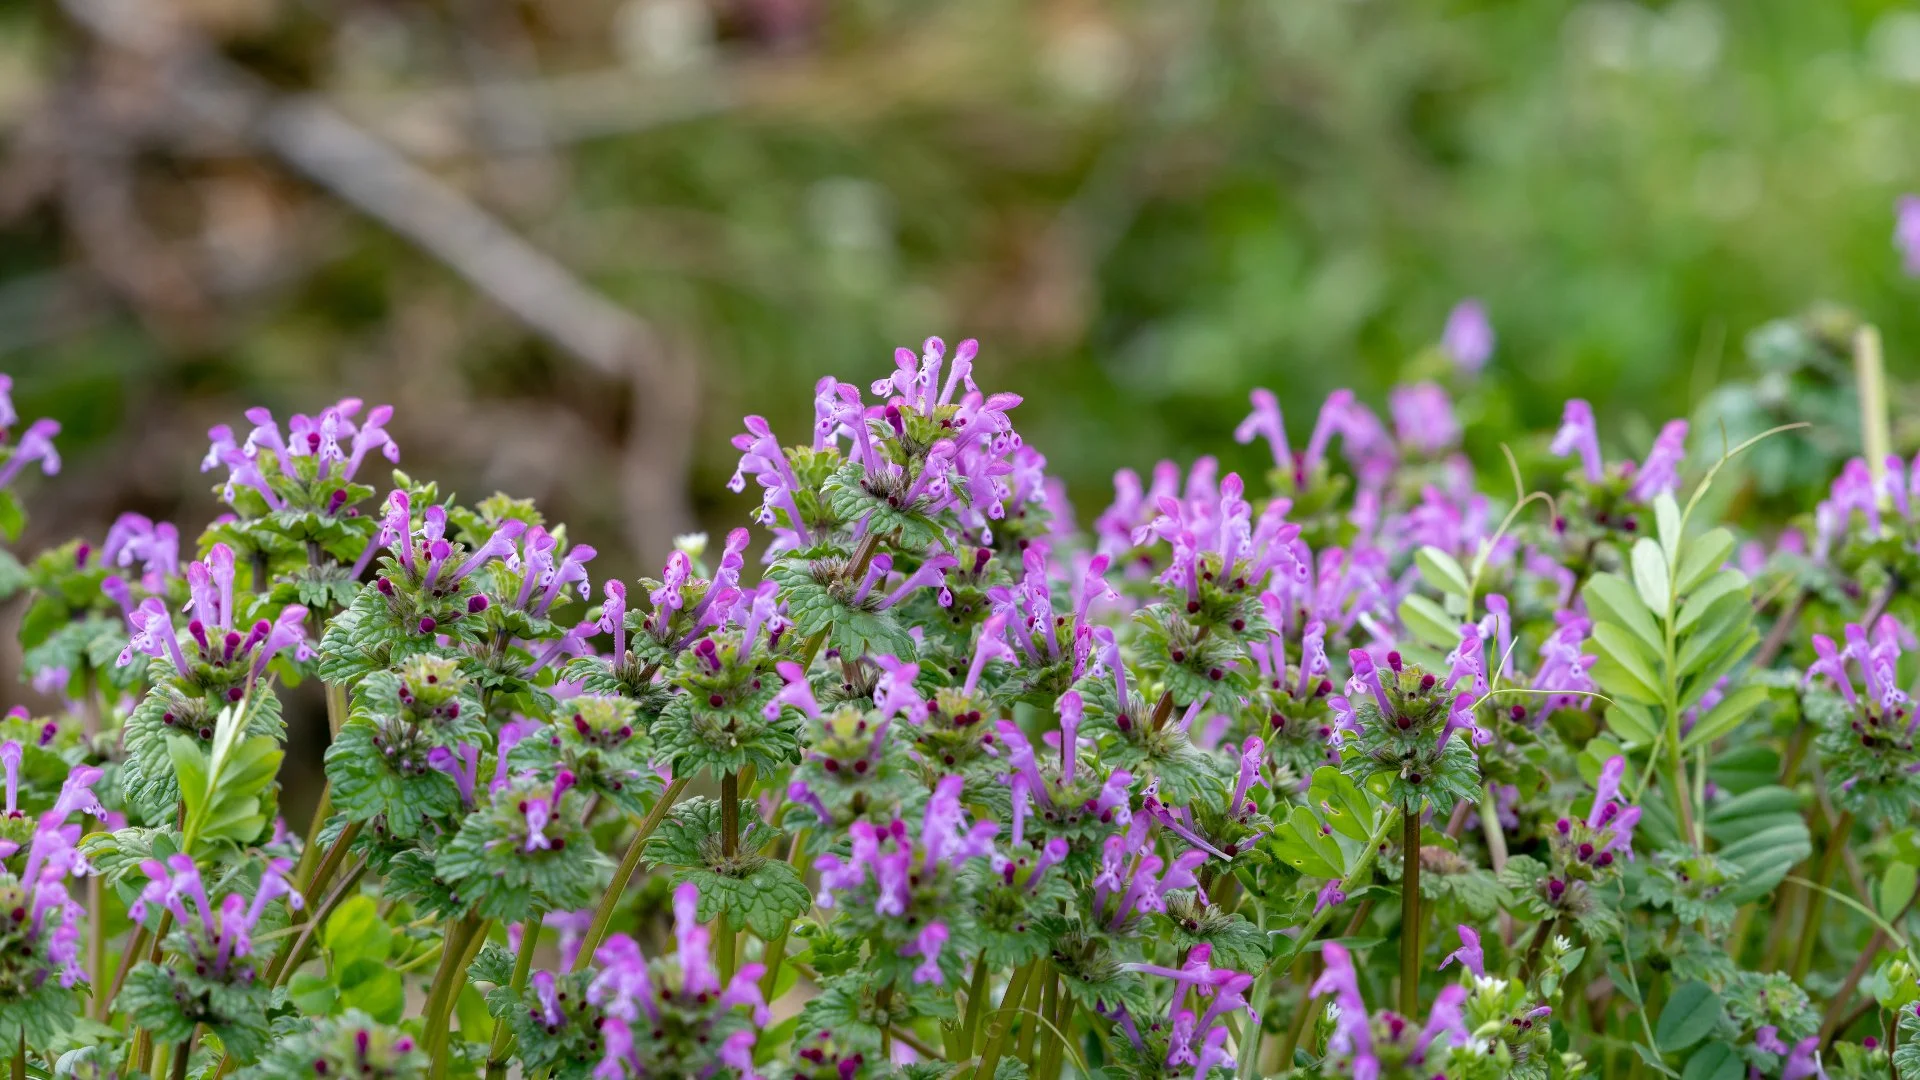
{"type": "Point", "coordinates": [961, 793]}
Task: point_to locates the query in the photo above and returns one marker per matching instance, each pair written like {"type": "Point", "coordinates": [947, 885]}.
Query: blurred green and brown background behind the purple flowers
{"type": "Point", "coordinates": [1141, 210]}
